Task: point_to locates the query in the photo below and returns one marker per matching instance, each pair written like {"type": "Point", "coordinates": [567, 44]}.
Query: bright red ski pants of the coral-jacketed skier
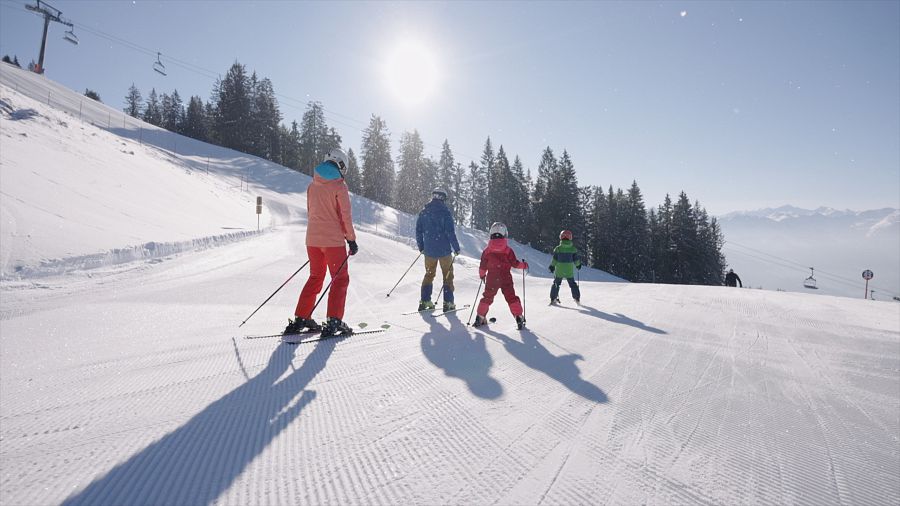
{"type": "Point", "coordinates": [333, 257]}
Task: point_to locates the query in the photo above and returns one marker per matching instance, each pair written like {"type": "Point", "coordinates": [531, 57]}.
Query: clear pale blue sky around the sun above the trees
{"type": "Point", "coordinates": [740, 104]}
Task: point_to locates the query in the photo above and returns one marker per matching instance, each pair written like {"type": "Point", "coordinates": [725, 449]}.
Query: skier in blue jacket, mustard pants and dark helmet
{"type": "Point", "coordinates": [436, 239]}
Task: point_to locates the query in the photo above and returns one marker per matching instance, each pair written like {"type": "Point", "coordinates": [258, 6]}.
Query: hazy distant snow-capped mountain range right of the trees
{"type": "Point", "coordinates": [775, 247]}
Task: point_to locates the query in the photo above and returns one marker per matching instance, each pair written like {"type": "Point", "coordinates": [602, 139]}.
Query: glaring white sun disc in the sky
{"type": "Point", "coordinates": [411, 72]}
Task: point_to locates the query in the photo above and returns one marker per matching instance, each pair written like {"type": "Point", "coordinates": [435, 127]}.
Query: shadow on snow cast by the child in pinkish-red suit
{"type": "Point", "coordinates": [562, 368]}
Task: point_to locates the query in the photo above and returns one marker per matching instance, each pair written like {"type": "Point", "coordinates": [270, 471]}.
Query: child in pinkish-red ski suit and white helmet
{"type": "Point", "coordinates": [496, 261]}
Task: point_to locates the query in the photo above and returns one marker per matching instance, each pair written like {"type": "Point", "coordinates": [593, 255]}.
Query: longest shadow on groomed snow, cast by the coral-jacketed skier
{"type": "Point", "coordinates": [198, 461]}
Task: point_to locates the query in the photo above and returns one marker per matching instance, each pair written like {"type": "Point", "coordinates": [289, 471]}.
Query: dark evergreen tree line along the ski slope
{"type": "Point", "coordinates": [674, 243]}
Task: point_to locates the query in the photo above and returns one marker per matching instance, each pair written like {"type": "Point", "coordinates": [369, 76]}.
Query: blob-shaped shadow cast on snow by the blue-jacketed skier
{"type": "Point", "coordinates": [460, 355]}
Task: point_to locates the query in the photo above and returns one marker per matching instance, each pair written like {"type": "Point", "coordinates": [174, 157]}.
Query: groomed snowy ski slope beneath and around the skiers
{"type": "Point", "coordinates": [127, 381]}
